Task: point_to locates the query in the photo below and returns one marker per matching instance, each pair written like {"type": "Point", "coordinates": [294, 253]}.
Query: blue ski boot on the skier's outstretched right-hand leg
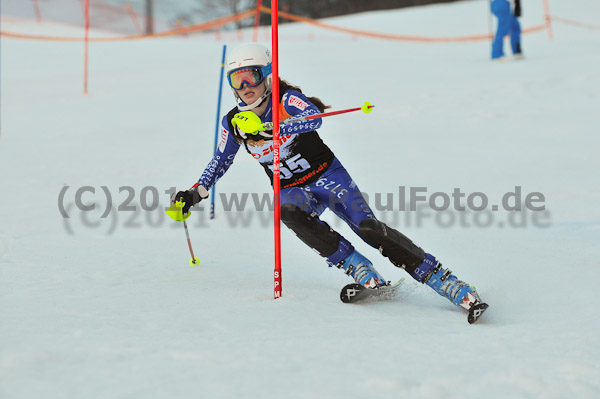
{"type": "Point", "coordinates": [448, 285]}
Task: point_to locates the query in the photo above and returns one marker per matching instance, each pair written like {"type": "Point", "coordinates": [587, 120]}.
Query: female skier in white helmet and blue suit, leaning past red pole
{"type": "Point", "coordinates": [312, 179]}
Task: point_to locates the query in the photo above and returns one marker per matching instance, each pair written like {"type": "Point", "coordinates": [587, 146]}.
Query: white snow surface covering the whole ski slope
{"type": "Point", "coordinates": [95, 307]}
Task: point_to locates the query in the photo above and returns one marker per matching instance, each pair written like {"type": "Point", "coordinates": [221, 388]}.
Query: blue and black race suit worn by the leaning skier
{"type": "Point", "coordinates": [311, 176]}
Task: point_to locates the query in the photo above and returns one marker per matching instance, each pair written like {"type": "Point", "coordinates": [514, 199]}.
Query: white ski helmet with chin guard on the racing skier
{"type": "Point", "coordinates": [250, 55]}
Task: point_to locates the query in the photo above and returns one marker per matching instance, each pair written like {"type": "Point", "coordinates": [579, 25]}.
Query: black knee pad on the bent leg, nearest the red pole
{"type": "Point", "coordinates": [310, 229]}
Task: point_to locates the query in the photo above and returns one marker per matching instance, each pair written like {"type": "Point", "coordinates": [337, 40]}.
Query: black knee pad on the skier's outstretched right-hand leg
{"type": "Point", "coordinates": [392, 244]}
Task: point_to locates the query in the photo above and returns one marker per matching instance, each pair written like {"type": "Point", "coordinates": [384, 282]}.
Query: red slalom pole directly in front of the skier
{"type": "Point", "coordinates": [276, 165]}
